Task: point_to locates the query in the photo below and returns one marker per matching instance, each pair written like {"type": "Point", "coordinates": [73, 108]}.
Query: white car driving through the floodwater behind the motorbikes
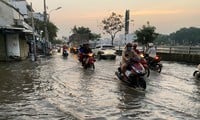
{"type": "Point", "coordinates": [105, 51]}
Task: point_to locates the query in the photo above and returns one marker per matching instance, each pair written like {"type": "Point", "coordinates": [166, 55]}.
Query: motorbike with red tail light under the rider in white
{"type": "Point", "coordinates": [154, 63]}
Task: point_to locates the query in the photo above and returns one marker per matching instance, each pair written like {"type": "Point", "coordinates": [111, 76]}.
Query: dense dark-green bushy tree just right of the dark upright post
{"type": "Point", "coordinates": [147, 34]}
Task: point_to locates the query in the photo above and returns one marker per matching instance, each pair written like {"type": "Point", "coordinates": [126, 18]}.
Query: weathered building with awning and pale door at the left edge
{"type": "Point", "coordinates": [13, 33]}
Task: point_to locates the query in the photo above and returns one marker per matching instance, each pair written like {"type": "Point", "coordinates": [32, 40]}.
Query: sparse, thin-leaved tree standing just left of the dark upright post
{"type": "Point", "coordinates": [113, 24]}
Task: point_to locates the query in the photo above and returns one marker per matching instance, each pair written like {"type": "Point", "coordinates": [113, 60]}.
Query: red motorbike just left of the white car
{"type": "Point", "coordinates": [88, 61]}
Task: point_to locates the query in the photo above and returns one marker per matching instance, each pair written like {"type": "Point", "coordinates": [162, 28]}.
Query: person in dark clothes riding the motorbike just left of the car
{"type": "Point", "coordinates": [85, 51]}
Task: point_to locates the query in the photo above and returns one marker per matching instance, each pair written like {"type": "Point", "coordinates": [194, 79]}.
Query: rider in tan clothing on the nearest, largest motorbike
{"type": "Point", "coordinates": [127, 54]}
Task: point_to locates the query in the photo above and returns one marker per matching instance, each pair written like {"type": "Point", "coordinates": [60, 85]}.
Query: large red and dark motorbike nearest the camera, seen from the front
{"type": "Point", "coordinates": [134, 74]}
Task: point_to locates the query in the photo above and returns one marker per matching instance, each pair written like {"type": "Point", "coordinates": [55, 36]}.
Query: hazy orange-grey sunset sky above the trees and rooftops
{"type": "Point", "coordinates": [166, 15]}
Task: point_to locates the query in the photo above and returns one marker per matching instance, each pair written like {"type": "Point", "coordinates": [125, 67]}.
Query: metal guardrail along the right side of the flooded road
{"type": "Point", "coordinates": [179, 49]}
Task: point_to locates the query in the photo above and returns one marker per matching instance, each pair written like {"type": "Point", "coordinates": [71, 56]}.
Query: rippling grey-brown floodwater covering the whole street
{"type": "Point", "coordinates": [59, 88]}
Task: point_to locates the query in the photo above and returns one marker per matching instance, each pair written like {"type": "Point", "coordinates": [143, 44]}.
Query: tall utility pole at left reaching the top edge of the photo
{"type": "Point", "coordinates": [45, 29]}
